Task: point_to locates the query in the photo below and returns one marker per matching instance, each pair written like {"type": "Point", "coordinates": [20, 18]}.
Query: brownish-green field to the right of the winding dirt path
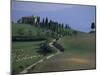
{"type": "Point", "coordinates": [79, 54]}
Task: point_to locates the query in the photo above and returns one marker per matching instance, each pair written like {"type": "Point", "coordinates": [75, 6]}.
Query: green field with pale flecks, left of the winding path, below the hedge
{"type": "Point", "coordinates": [21, 50]}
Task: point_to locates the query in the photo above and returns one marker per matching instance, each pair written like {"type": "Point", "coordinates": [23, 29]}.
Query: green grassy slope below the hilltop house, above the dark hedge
{"type": "Point", "coordinates": [31, 30]}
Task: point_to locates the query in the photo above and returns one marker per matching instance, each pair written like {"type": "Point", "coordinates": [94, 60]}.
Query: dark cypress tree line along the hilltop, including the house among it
{"type": "Point", "coordinates": [53, 28]}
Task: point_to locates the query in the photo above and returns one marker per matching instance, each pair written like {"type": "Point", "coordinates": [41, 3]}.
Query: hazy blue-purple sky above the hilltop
{"type": "Point", "coordinates": [79, 17]}
